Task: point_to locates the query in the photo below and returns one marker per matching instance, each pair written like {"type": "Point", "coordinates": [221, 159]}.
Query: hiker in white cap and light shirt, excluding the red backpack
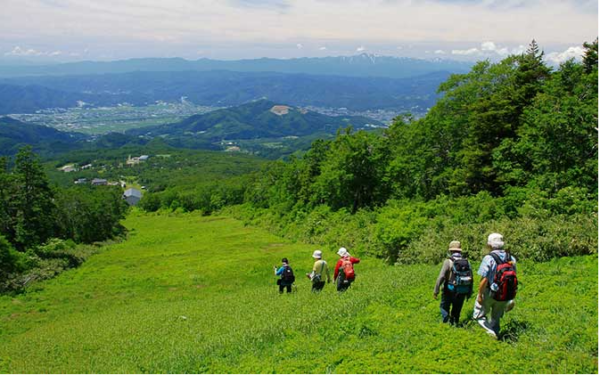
{"type": "Point", "coordinates": [488, 308]}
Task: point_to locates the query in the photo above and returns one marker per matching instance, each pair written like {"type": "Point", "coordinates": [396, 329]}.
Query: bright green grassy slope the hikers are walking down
{"type": "Point", "coordinates": [196, 294]}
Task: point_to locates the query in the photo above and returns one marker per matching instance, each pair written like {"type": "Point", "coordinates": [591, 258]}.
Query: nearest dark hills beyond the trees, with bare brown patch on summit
{"type": "Point", "coordinates": [256, 120]}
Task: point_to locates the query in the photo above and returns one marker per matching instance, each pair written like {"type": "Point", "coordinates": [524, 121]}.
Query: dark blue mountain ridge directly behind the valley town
{"type": "Point", "coordinates": [221, 89]}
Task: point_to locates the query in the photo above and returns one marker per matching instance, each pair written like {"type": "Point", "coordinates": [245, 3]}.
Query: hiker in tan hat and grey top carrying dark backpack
{"type": "Point", "coordinates": [457, 278]}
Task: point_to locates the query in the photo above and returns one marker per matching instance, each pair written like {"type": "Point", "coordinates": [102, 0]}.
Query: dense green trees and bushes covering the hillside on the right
{"type": "Point", "coordinates": [511, 147]}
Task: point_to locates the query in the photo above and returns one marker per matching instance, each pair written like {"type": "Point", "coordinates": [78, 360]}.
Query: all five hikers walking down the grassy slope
{"type": "Point", "coordinates": [495, 293]}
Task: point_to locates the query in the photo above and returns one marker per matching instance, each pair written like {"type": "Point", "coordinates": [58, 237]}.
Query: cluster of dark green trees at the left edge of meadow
{"type": "Point", "coordinates": [39, 222]}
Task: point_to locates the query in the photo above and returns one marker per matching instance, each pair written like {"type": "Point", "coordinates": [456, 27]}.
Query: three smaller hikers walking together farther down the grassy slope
{"type": "Point", "coordinates": [343, 273]}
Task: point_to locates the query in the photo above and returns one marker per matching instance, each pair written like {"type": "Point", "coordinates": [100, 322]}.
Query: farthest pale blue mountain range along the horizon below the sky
{"type": "Point", "coordinates": [363, 65]}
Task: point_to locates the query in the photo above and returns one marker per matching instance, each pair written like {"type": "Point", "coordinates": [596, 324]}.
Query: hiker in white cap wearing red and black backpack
{"type": "Point", "coordinates": [498, 286]}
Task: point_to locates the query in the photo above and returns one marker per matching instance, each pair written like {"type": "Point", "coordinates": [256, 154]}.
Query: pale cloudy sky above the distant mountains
{"type": "Point", "coordinates": [76, 30]}
